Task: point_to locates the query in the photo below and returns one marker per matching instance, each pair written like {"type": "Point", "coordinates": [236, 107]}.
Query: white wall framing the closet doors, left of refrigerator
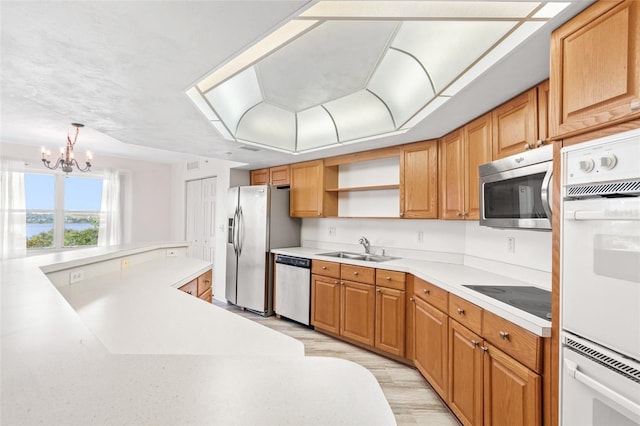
{"type": "Point", "coordinates": [225, 177]}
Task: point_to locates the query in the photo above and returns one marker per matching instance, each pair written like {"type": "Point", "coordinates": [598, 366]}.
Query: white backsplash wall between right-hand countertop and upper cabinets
{"type": "Point", "coordinates": [442, 240]}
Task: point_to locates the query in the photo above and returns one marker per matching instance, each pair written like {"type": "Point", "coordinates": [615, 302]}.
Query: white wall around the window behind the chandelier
{"type": "Point", "coordinates": [148, 204]}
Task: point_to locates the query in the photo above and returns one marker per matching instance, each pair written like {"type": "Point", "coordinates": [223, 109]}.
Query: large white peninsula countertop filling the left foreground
{"type": "Point", "coordinates": [129, 348]}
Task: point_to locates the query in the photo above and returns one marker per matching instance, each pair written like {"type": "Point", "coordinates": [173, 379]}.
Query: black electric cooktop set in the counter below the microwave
{"type": "Point", "coordinates": [534, 300]}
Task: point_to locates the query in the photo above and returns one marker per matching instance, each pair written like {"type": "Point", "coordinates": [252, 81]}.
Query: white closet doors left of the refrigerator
{"type": "Point", "coordinates": [200, 218]}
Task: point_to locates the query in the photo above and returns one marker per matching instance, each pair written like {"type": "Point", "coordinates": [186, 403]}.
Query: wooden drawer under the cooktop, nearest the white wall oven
{"type": "Point", "coordinates": [521, 344]}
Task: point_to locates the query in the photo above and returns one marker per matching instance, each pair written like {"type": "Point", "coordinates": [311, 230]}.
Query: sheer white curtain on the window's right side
{"type": "Point", "coordinates": [110, 231]}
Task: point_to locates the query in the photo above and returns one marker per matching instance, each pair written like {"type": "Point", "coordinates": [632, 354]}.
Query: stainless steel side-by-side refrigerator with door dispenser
{"type": "Point", "coordinates": [258, 221]}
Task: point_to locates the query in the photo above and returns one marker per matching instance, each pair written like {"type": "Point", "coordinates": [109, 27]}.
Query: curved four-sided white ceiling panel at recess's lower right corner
{"type": "Point", "coordinates": [403, 85]}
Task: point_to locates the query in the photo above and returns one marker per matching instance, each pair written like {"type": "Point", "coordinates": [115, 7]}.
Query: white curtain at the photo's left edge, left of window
{"type": "Point", "coordinates": [13, 217]}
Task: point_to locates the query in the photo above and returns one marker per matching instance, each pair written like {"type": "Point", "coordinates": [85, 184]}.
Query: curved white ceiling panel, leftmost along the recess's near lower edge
{"type": "Point", "coordinates": [268, 125]}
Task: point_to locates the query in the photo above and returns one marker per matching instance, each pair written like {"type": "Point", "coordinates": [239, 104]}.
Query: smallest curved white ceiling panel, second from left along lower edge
{"type": "Point", "coordinates": [315, 129]}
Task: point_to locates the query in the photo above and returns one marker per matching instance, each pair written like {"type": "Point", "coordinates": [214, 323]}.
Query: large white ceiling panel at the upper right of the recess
{"type": "Point", "coordinates": [447, 48]}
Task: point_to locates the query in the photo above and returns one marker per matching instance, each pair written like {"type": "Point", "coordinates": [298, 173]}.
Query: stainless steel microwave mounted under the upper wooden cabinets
{"type": "Point", "coordinates": [515, 192]}
